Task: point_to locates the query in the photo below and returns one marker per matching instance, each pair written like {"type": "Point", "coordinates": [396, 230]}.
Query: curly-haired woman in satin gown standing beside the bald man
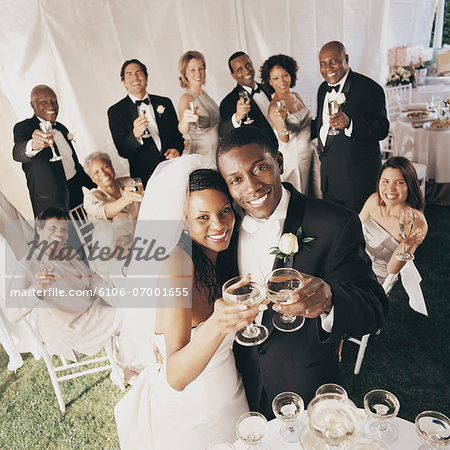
{"type": "Point", "coordinates": [292, 125]}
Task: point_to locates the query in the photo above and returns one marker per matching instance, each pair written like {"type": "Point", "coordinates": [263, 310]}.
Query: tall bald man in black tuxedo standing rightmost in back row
{"type": "Point", "coordinates": [350, 161]}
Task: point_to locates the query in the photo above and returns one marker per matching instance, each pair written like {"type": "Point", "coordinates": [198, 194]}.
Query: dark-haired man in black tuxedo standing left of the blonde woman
{"type": "Point", "coordinates": [144, 140]}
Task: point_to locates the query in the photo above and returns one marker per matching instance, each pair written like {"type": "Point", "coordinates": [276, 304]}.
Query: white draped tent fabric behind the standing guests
{"type": "Point", "coordinates": [78, 46]}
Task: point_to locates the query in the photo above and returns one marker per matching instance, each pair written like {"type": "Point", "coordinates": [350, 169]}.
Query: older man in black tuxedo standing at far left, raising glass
{"type": "Point", "coordinates": [56, 183]}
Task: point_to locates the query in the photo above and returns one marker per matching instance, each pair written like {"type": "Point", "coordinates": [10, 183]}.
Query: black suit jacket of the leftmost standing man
{"type": "Point", "coordinates": [46, 180]}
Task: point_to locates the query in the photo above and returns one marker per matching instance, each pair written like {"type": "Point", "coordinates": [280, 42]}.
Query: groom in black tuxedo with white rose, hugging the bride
{"type": "Point", "coordinates": [340, 296]}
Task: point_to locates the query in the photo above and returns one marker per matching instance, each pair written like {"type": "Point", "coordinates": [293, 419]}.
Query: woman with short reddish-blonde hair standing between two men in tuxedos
{"type": "Point", "coordinates": [202, 125]}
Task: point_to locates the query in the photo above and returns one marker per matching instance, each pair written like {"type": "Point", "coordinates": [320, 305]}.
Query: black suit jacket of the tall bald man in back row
{"type": "Point", "coordinates": [350, 165]}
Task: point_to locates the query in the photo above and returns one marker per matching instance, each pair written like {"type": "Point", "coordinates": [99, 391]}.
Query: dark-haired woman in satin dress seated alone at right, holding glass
{"type": "Point", "coordinates": [398, 188]}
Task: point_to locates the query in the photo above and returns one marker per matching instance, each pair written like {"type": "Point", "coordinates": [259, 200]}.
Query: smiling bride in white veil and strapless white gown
{"type": "Point", "coordinates": [192, 395]}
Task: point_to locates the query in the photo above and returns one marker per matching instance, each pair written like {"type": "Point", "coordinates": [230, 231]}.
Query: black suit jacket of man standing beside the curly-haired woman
{"type": "Point", "coordinates": [228, 108]}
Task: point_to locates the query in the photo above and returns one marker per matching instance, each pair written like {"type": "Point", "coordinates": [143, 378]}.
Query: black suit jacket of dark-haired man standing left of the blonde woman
{"type": "Point", "coordinates": [143, 158]}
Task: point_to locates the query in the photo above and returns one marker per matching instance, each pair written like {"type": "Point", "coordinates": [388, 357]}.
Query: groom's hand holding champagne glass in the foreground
{"type": "Point", "coordinates": [311, 300]}
